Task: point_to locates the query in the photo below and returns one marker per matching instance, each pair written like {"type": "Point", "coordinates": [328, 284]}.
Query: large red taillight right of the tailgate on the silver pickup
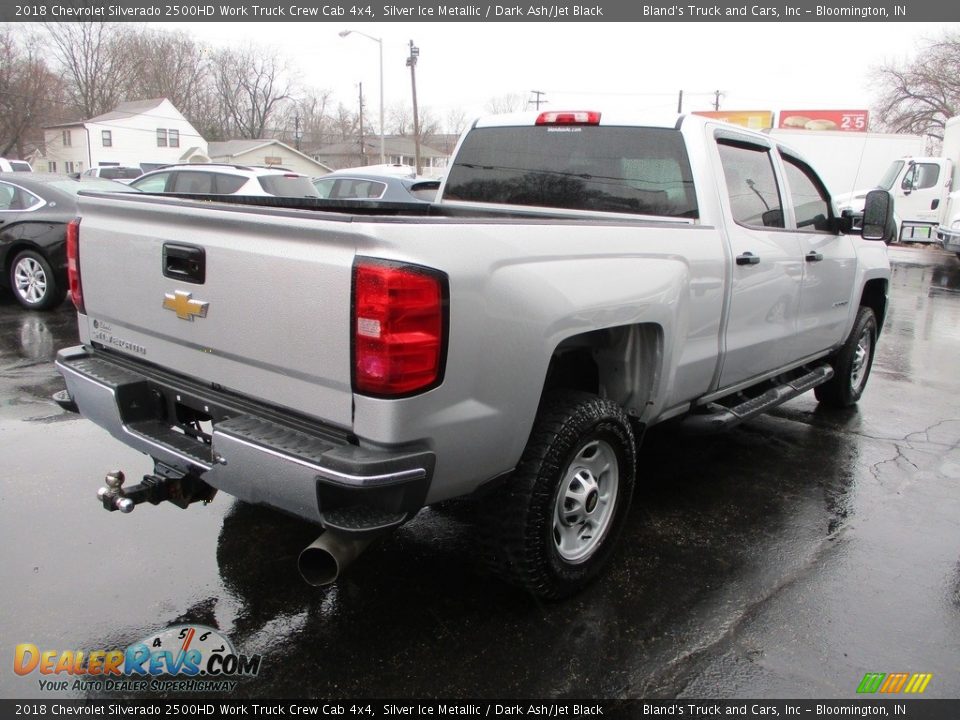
{"type": "Point", "coordinates": [399, 324]}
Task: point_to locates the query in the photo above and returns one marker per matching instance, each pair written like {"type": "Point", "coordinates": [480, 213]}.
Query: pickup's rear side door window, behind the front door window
{"type": "Point", "coordinates": [751, 185]}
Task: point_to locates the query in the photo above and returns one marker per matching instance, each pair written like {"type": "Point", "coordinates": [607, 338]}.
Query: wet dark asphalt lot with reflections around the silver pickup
{"type": "Point", "coordinates": [784, 559]}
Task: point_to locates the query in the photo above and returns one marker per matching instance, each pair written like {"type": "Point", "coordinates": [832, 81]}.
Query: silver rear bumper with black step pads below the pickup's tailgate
{"type": "Point", "coordinates": [254, 452]}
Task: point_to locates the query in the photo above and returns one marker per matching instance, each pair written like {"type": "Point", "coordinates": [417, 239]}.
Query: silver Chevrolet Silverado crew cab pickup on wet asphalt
{"type": "Point", "coordinates": [581, 277]}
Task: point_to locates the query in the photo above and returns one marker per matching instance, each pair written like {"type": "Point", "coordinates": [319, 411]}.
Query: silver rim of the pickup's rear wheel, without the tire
{"type": "Point", "coordinates": [585, 501]}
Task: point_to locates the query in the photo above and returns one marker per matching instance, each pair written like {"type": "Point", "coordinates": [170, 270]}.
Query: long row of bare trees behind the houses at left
{"type": "Point", "coordinates": [64, 72]}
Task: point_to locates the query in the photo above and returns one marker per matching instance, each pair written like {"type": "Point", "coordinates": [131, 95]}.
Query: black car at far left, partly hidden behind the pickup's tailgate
{"type": "Point", "coordinates": [34, 211]}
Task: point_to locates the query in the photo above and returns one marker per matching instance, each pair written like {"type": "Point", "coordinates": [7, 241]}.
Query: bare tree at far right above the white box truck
{"type": "Point", "coordinates": [918, 96]}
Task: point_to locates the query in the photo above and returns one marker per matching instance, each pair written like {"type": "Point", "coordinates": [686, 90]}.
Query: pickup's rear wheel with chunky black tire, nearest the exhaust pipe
{"type": "Point", "coordinates": [528, 541]}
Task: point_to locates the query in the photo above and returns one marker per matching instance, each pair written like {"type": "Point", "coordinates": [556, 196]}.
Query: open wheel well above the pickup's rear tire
{"type": "Point", "coordinates": [622, 364]}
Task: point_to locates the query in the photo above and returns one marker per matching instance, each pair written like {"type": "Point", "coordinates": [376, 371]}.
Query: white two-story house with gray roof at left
{"type": "Point", "coordinates": [139, 133]}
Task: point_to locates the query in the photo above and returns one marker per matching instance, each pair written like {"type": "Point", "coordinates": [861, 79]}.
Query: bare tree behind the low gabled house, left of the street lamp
{"type": "Point", "coordinates": [251, 83]}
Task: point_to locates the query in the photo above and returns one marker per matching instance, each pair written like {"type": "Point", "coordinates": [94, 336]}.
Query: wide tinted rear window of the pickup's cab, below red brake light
{"type": "Point", "coordinates": [643, 171]}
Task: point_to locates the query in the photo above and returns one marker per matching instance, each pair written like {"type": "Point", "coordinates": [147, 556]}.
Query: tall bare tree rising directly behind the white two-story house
{"type": "Point", "coordinates": [93, 59]}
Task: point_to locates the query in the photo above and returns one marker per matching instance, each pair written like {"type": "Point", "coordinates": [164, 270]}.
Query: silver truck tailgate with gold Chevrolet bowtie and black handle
{"type": "Point", "coordinates": [250, 319]}
